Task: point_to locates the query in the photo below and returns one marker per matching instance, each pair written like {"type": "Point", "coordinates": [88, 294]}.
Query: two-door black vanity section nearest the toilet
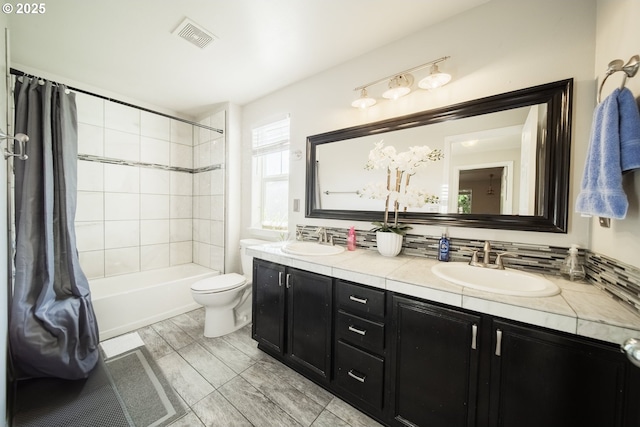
{"type": "Point", "coordinates": [292, 312]}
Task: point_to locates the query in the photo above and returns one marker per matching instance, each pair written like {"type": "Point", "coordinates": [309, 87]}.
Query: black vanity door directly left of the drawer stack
{"type": "Point", "coordinates": [309, 321]}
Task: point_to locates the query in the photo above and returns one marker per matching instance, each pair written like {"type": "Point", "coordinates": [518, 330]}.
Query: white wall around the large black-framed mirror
{"type": "Point", "coordinates": [501, 46]}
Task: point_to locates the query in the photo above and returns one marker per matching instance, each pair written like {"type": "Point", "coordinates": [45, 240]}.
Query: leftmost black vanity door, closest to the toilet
{"type": "Point", "coordinates": [268, 305]}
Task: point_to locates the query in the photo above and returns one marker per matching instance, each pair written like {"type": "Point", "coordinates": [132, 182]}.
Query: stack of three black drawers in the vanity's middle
{"type": "Point", "coordinates": [360, 344]}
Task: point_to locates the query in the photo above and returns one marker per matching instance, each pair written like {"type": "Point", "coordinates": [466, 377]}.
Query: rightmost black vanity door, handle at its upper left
{"type": "Point", "coordinates": [542, 378]}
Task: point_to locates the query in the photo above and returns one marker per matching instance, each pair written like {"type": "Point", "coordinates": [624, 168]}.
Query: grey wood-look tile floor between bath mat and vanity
{"type": "Point", "coordinates": [228, 382]}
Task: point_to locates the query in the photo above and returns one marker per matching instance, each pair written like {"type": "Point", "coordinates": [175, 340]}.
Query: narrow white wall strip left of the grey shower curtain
{"type": "Point", "coordinates": [4, 234]}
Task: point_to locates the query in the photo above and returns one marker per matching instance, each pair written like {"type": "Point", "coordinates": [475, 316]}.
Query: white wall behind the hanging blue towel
{"type": "Point", "coordinates": [617, 36]}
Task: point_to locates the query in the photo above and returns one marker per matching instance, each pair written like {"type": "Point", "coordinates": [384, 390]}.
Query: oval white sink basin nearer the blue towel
{"type": "Point", "coordinates": [507, 282]}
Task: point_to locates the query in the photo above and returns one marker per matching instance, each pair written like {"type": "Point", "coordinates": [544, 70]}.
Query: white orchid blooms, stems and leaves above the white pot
{"type": "Point", "coordinates": [401, 166]}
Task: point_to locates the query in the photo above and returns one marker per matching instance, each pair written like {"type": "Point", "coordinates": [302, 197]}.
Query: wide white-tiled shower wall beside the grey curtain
{"type": "Point", "coordinates": [130, 217]}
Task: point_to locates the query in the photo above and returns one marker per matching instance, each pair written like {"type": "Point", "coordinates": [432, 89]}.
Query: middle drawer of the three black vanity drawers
{"type": "Point", "coordinates": [361, 332]}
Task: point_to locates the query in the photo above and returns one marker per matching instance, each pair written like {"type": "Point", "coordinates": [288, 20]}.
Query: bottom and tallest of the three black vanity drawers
{"type": "Point", "coordinates": [360, 373]}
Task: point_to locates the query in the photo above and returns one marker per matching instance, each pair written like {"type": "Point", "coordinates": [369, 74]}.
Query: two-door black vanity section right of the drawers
{"type": "Point", "coordinates": [452, 368]}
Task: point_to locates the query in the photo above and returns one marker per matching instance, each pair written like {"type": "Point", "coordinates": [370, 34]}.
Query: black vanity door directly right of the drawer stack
{"type": "Point", "coordinates": [434, 373]}
